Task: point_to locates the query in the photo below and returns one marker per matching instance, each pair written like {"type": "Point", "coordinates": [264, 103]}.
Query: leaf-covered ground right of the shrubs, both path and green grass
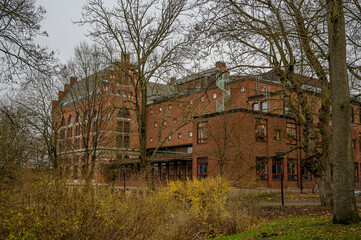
{"type": "Point", "coordinates": [302, 217]}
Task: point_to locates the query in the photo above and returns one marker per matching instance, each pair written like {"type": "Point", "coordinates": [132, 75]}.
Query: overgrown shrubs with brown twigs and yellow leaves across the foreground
{"type": "Point", "coordinates": [42, 206]}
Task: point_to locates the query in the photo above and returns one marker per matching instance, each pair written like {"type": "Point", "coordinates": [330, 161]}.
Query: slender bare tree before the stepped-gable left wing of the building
{"type": "Point", "coordinates": [83, 115]}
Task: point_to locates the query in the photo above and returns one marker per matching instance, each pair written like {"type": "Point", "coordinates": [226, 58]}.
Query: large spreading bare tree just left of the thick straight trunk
{"type": "Point", "coordinates": [286, 37]}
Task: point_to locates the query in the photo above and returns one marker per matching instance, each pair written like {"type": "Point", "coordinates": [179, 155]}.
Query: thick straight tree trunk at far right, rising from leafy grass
{"type": "Point", "coordinates": [345, 210]}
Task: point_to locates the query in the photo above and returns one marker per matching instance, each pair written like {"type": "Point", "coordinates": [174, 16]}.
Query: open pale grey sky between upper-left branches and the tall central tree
{"type": "Point", "coordinates": [63, 34]}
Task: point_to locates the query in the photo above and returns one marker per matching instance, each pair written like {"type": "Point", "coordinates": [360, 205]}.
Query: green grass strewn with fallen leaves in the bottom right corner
{"type": "Point", "coordinates": [304, 227]}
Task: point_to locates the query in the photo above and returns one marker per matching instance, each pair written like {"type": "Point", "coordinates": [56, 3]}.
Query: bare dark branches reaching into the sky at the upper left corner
{"type": "Point", "coordinates": [19, 25]}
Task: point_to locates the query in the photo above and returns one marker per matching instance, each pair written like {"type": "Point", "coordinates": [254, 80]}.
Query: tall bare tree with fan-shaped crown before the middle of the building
{"type": "Point", "coordinates": [152, 31]}
